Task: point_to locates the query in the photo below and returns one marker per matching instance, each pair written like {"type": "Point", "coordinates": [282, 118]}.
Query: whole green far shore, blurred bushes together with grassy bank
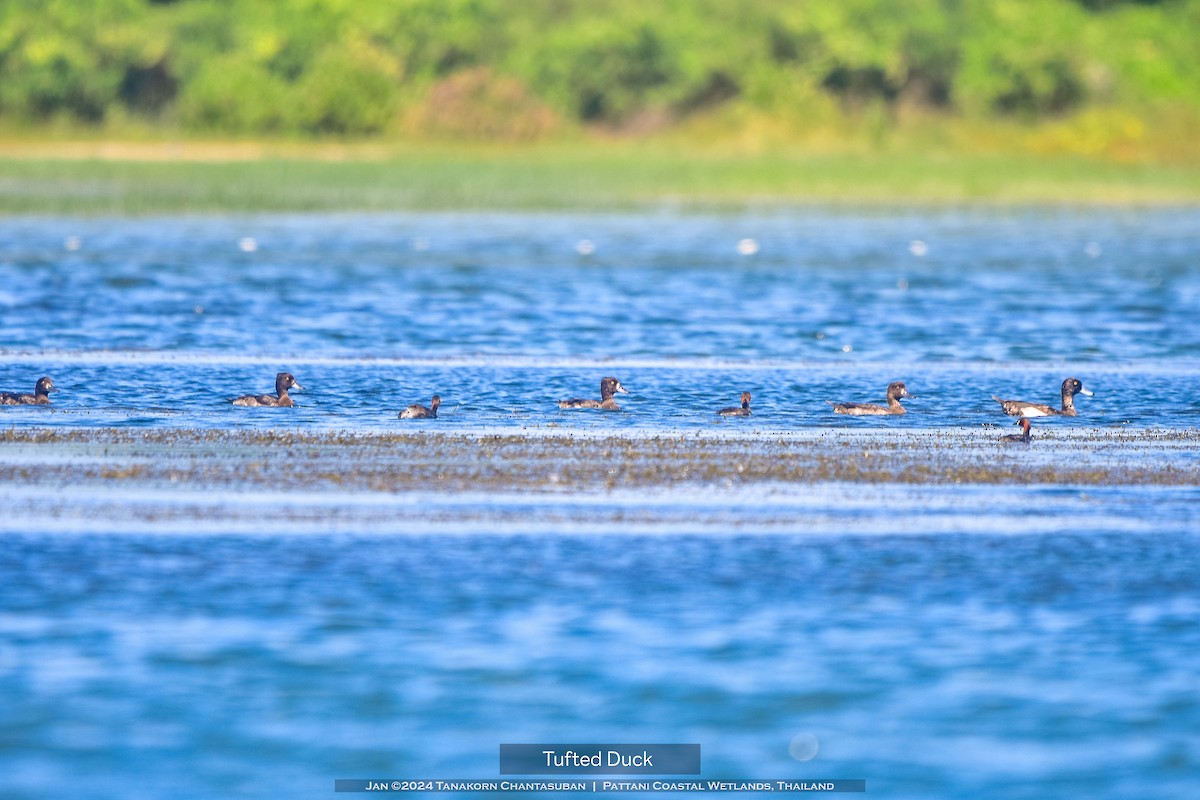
{"type": "Point", "coordinates": [139, 107]}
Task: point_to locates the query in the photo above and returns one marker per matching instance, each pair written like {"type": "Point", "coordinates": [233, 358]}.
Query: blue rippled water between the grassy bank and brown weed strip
{"type": "Point", "coordinates": [161, 322]}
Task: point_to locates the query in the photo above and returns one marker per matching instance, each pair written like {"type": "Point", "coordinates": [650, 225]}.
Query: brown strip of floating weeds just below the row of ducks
{"type": "Point", "coordinates": [563, 464]}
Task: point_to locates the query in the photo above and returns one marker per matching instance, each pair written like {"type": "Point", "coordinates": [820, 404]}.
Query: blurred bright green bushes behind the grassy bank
{"type": "Point", "coordinates": [532, 69]}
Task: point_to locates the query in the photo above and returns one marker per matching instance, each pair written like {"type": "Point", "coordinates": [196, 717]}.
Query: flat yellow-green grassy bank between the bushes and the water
{"type": "Point", "coordinates": [112, 179]}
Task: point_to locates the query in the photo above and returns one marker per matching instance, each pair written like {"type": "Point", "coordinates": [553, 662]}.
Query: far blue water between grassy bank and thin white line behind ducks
{"type": "Point", "coordinates": [989, 286]}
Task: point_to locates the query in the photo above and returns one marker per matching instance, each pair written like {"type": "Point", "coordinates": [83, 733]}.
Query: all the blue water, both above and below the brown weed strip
{"type": "Point", "coordinates": [938, 641]}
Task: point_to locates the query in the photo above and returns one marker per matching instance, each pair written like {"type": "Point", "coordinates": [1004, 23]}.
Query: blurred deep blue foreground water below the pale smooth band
{"type": "Point", "coordinates": [931, 666]}
